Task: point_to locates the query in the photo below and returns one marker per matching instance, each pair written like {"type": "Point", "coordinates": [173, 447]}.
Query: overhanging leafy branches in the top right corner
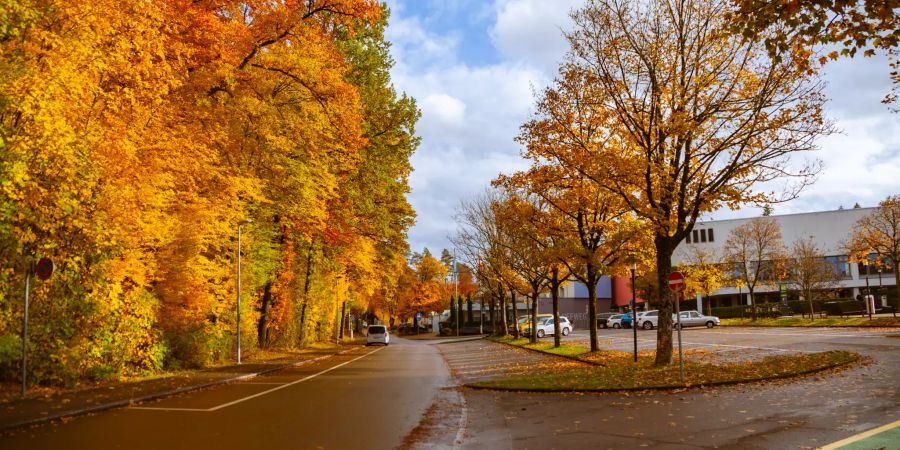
{"type": "Point", "coordinates": [800, 26]}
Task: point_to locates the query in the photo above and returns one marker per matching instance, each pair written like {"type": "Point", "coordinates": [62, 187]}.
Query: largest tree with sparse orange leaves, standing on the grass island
{"type": "Point", "coordinates": [689, 118]}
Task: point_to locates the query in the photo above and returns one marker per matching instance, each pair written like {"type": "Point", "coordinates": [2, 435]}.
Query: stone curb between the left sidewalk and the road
{"type": "Point", "coordinates": [154, 396]}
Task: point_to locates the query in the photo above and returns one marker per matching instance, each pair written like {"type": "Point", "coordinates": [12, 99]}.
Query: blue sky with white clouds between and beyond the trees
{"type": "Point", "coordinates": [473, 66]}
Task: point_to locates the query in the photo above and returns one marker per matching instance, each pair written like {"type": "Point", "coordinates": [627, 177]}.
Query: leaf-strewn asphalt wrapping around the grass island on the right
{"type": "Point", "coordinates": [800, 413]}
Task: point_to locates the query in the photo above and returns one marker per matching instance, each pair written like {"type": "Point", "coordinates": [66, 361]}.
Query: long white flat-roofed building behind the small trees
{"type": "Point", "coordinates": [829, 229]}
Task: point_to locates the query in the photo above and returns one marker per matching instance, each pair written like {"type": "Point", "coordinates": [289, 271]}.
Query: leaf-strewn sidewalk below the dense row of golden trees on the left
{"type": "Point", "coordinates": [35, 410]}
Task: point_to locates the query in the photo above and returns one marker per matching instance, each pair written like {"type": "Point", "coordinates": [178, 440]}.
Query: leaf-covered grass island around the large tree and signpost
{"type": "Point", "coordinates": [619, 372]}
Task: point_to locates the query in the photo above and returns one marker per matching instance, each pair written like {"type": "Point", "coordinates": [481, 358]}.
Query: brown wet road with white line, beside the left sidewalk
{"type": "Point", "coordinates": [370, 398]}
